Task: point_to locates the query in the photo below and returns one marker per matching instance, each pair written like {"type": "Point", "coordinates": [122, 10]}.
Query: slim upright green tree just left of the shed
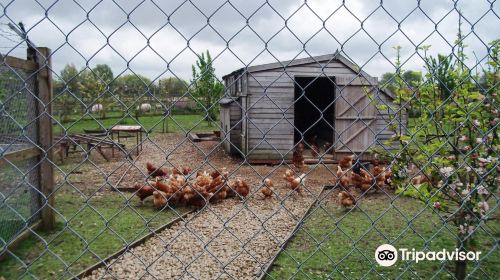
{"type": "Point", "coordinates": [205, 87]}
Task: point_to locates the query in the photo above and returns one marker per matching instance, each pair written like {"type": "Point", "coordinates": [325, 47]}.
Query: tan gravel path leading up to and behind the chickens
{"type": "Point", "coordinates": [230, 239]}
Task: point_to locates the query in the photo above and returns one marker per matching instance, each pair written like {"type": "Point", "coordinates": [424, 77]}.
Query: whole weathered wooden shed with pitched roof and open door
{"type": "Point", "coordinates": [325, 100]}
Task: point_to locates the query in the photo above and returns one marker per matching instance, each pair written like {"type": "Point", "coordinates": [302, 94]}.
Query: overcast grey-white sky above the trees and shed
{"type": "Point", "coordinates": [93, 32]}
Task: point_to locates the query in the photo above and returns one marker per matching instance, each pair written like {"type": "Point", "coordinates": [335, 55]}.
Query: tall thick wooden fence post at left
{"type": "Point", "coordinates": [45, 136]}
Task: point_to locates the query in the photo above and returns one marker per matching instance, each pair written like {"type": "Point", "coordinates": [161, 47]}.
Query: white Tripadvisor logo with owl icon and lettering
{"type": "Point", "coordinates": [387, 255]}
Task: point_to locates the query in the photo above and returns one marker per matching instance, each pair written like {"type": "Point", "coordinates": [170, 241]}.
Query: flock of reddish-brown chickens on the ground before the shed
{"type": "Point", "coordinates": [180, 187]}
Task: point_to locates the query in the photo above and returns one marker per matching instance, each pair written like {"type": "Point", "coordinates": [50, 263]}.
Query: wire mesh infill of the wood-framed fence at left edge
{"type": "Point", "coordinates": [21, 203]}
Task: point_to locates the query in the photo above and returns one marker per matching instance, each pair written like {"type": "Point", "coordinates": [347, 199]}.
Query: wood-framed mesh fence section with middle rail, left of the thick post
{"type": "Point", "coordinates": [21, 133]}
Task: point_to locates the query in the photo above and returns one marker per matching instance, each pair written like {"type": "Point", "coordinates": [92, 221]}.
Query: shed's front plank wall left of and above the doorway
{"type": "Point", "coordinates": [271, 105]}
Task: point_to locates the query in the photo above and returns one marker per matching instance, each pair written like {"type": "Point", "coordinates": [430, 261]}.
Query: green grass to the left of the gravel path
{"type": "Point", "coordinates": [80, 226]}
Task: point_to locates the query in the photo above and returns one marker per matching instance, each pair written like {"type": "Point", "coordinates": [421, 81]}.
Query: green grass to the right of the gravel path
{"type": "Point", "coordinates": [336, 244]}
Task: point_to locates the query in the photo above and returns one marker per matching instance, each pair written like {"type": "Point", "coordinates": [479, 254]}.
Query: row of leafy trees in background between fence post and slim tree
{"type": "Point", "coordinates": [76, 91]}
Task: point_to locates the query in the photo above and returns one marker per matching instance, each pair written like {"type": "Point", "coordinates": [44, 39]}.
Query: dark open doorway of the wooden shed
{"type": "Point", "coordinates": [312, 96]}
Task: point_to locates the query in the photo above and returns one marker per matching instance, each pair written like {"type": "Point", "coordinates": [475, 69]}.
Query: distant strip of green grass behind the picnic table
{"type": "Point", "coordinates": [152, 123]}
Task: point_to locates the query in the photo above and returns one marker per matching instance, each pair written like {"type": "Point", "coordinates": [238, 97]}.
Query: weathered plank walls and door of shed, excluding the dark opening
{"type": "Point", "coordinates": [270, 109]}
